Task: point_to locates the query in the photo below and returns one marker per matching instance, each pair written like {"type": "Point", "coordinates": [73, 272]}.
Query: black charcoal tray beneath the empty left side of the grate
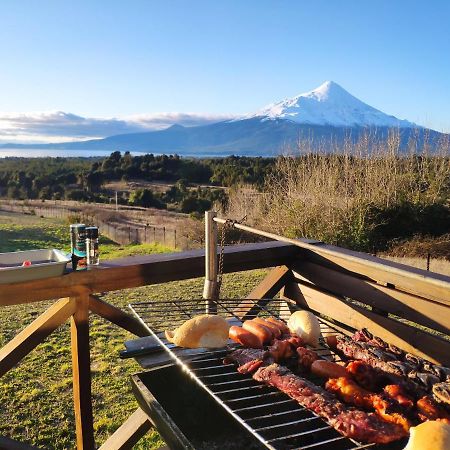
{"type": "Point", "coordinates": [184, 416]}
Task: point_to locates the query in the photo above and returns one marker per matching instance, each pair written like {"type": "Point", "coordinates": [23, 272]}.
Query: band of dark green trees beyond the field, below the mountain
{"type": "Point", "coordinates": [193, 184]}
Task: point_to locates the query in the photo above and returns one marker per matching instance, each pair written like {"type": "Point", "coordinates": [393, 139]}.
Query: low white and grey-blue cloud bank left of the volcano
{"type": "Point", "coordinates": [58, 126]}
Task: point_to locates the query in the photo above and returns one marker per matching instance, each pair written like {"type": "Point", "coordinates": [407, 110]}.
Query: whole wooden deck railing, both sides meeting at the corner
{"type": "Point", "coordinates": [320, 277]}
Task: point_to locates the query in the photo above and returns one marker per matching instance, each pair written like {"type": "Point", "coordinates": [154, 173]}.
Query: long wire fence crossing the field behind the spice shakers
{"type": "Point", "coordinates": [121, 233]}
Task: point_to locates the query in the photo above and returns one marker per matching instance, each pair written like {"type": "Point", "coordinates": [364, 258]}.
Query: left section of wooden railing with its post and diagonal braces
{"type": "Point", "coordinates": [75, 299]}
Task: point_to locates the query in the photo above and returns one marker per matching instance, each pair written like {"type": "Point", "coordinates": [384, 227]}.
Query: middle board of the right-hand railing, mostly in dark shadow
{"type": "Point", "coordinates": [411, 307]}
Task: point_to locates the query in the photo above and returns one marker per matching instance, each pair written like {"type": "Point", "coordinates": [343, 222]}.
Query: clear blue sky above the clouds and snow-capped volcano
{"type": "Point", "coordinates": [118, 58]}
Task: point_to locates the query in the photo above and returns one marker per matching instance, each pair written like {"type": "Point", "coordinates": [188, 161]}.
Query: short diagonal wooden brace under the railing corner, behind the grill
{"type": "Point", "coordinates": [268, 288]}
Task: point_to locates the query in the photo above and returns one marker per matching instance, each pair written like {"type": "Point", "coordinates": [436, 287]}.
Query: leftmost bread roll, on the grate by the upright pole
{"type": "Point", "coordinates": [201, 331]}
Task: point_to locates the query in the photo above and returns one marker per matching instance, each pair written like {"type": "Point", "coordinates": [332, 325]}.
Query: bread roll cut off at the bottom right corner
{"type": "Point", "coordinates": [432, 435]}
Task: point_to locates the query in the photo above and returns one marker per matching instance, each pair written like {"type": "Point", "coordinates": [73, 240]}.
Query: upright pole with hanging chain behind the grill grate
{"type": "Point", "coordinates": [210, 287]}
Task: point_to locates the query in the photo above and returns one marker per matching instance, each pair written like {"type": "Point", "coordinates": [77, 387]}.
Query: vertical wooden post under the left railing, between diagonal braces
{"type": "Point", "coordinates": [82, 374]}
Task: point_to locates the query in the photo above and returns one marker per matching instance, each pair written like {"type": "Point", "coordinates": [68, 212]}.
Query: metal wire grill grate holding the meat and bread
{"type": "Point", "coordinates": [276, 420]}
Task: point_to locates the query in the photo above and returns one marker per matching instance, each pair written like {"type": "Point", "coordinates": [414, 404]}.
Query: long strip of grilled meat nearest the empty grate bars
{"type": "Point", "coordinates": [353, 423]}
